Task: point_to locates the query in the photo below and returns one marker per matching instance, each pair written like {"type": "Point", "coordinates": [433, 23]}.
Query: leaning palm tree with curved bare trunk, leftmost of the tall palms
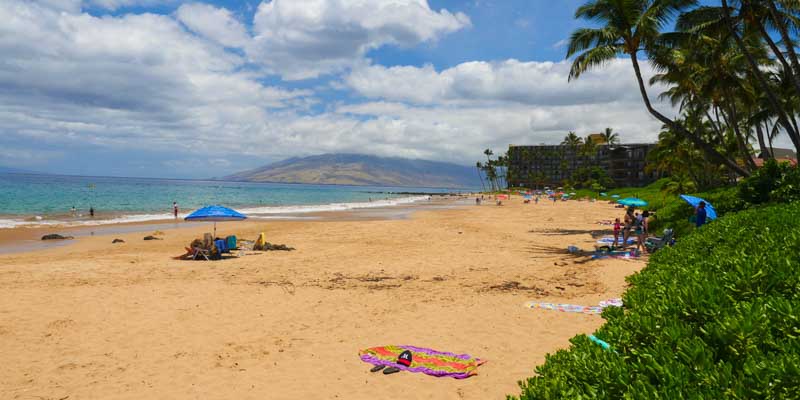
{"type": "Point", "coordinates": [629, 27]}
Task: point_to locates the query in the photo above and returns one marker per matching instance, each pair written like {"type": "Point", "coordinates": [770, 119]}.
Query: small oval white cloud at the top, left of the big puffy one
{"type": "Point", "coordinates": [217, 24]}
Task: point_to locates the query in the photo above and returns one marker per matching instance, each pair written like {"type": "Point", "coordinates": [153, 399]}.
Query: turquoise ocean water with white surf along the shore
{"type": "Point", "coordinates": [33, 200]}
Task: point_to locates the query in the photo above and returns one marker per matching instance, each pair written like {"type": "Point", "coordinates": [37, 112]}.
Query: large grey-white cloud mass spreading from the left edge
{"type": "Point", "coordinates": [137, 81]}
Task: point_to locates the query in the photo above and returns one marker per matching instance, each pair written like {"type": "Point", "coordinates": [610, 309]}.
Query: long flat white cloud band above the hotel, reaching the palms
{"type": "Point", "coordinates": [511, 81]}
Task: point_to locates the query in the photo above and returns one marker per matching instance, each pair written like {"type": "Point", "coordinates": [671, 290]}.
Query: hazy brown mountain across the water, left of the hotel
{"type": "Point", "coordinates": [359, 169]}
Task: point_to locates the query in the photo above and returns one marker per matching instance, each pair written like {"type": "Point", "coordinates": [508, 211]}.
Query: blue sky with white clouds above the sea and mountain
{"type": "Point", "coordinates": [202, 89]}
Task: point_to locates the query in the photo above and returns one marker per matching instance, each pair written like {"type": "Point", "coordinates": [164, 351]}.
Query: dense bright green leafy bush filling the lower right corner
{"type": "Point", "coordinates": [716, 316]}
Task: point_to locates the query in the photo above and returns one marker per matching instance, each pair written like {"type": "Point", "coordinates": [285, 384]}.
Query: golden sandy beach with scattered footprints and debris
{"type": "Point", "coordinates": [92, 320]}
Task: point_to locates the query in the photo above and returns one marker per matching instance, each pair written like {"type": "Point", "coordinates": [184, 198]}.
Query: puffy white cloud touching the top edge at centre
{"type": "Point", "coordinates": [306, 39]}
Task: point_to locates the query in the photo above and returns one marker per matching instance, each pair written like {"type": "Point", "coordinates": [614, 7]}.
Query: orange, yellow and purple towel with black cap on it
{"type": "Point", "coordinates": [428, 361]}
